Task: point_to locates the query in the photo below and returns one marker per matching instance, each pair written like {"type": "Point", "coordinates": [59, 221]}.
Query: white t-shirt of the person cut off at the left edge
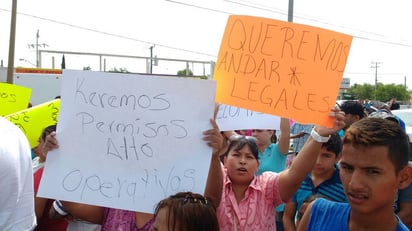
{"type": "Point", "coordinates": [16, 179]}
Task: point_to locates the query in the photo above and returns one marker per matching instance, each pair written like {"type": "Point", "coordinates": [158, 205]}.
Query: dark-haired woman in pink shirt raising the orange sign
{"type": "Point", "coordinates": [247, 201]}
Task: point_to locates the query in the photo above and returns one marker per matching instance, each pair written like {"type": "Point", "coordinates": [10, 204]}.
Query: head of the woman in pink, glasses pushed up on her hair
{"type": "Point", "coordinates": [241, 159]}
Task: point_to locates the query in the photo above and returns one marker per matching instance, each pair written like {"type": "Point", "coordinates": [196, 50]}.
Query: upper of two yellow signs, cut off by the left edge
{"type": "Point", "coordinates": [13, 98]}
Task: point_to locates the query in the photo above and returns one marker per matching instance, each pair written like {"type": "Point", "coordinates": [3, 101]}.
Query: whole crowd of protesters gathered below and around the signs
{"type": "Point", "coordinates": [352, 176]}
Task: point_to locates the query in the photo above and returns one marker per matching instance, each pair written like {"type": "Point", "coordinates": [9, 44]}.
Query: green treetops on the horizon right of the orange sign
{"type": "Point", "coordinates": [383, 92]}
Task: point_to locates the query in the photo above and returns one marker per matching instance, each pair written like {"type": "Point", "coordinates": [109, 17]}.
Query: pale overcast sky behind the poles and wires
{"type": "Point", "coordinates": [193, 29]}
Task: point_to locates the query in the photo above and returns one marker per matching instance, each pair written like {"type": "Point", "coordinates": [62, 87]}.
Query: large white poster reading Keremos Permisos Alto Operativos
{"type": "Point", "coordinates": [128, 141]}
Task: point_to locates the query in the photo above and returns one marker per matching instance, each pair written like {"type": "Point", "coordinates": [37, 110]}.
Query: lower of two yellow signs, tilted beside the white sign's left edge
{"type": "Point", "coordinates": [33, 120]}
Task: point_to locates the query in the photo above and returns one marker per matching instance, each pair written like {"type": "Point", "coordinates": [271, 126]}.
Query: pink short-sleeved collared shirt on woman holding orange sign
{"type": "Point", "coordinates": [256, 210]}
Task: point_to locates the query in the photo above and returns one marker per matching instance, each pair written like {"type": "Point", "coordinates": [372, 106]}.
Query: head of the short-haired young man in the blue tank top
{"type": "Point", "coordinates": [373, 164]}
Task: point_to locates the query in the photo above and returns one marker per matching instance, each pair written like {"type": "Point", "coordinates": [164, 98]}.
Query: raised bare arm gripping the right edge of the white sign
{"type": "Point", "coordinates": [214, 183]}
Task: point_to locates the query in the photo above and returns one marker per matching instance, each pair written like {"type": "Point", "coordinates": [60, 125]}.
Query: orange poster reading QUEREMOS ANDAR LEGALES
{"type": "Point", "coordinates": [281, 68]}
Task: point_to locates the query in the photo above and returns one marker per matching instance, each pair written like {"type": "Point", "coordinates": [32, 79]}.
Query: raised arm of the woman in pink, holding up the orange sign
{"type": "Point", "coordinates": [291, 178]}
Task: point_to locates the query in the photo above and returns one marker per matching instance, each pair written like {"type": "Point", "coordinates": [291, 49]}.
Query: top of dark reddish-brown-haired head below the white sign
{"type": "Point", "coordinates": [185, 211]}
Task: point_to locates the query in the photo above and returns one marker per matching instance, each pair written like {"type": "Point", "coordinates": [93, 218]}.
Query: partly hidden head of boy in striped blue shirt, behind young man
{"type": "Point", "coordinates": [328, 156]}
